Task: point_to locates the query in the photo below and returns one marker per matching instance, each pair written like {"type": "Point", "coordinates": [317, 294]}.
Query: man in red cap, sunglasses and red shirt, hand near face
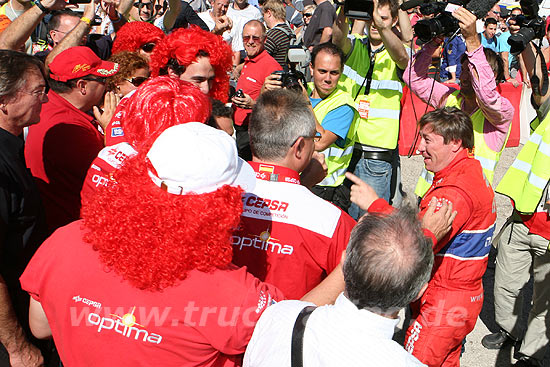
{"type": "Point", "coordinates": [60, 149]}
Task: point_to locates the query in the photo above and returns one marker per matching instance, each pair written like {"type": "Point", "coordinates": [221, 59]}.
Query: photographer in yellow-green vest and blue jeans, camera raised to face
{"type": "Point", "coordinates": [377, 88]}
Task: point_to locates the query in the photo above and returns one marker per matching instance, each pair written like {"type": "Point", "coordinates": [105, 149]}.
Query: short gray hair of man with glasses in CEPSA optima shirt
{"type": "Point", "coordinates": [277, 120]}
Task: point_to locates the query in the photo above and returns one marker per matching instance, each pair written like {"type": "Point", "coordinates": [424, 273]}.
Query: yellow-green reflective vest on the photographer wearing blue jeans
{"type": "Point", "coordinates": [379, 110]}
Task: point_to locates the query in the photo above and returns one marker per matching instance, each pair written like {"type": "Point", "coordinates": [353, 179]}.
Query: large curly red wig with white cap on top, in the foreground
{"type": "Point", "coordinates": [172, 210]}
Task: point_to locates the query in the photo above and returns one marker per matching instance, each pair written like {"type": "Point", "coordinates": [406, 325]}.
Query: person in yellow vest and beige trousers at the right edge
{"type": "Point", "coordinates": [523, 242]}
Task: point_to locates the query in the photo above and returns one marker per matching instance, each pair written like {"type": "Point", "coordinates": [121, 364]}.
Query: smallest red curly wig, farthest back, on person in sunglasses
{"type": "Point", "coordinates": [132, 35]}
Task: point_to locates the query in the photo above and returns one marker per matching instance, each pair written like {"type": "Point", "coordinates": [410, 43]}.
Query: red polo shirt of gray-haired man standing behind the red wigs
{"type": "Point", "coordinates": [252, 78]}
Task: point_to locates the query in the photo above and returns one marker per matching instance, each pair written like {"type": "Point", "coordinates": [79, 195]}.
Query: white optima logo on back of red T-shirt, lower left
{"type": "Point", "coordinates": [125, 325]}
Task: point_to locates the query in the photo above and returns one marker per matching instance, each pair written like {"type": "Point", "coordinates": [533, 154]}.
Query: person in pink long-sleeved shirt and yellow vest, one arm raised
{"type": "Point", "coordinates": [491, 113]}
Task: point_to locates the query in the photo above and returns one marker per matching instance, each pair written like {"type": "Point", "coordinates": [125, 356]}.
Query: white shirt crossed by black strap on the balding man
{"type": "Point", "coordinates": [335, 335]}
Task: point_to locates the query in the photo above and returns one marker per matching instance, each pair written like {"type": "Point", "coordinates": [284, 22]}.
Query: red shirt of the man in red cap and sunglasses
{"type": "Point", "coordinates": [59, 151]}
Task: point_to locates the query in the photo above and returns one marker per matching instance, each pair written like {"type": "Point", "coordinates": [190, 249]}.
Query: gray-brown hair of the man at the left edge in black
{"type": "Point", "coordinates": [13, 68]}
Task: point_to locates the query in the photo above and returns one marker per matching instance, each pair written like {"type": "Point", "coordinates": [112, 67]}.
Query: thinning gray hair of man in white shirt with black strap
{"type": "Point", "coordinates": [388, 261]}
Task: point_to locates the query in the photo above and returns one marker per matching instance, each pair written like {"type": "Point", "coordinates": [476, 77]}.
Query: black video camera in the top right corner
{"type": "Point", "coordinates": [531, 26]}
